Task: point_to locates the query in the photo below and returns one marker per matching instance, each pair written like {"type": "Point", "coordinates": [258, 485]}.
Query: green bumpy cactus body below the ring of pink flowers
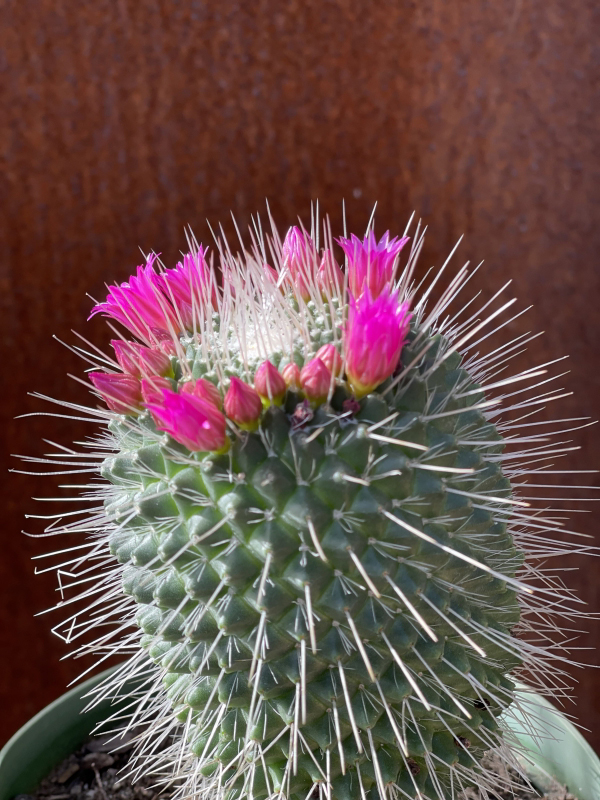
{"type": "Point", "coordinates": [311, 595]}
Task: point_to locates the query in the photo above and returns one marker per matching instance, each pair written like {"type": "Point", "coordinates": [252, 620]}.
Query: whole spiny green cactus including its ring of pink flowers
{"type": "Point", "coordinates": [312, 548]}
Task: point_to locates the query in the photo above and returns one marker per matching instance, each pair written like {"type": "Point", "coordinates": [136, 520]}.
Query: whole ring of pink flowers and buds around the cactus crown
{"type": "Point", "coordinates": [159, 306]}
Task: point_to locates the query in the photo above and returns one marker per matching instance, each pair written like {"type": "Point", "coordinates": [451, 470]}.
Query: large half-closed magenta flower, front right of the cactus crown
{"type": "Point", "coordinates": [374, 337]}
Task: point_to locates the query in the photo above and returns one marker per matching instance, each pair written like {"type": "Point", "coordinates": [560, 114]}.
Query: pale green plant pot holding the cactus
{"type": "Point", "coordinates": [60, 728]}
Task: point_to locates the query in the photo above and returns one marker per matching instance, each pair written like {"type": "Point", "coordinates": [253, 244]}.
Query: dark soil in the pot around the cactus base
{"type": "Point", "coordinates": [92, 773]}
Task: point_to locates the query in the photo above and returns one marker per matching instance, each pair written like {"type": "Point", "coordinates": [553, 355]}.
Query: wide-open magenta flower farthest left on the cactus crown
{"type": "Point", "coordinates": [139, 304]}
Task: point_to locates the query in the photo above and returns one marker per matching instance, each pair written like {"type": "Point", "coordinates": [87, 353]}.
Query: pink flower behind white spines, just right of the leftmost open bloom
{"type": "Point", "coordinates": [191, 287]}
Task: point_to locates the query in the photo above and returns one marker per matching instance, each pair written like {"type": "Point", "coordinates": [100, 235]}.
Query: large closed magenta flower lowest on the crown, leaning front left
{"type": "Point", "coordinates": [193, 422]}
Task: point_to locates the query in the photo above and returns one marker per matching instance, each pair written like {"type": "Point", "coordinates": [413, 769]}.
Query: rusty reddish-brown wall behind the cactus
{"type": "Point", "coordinates": [123, 120]}
